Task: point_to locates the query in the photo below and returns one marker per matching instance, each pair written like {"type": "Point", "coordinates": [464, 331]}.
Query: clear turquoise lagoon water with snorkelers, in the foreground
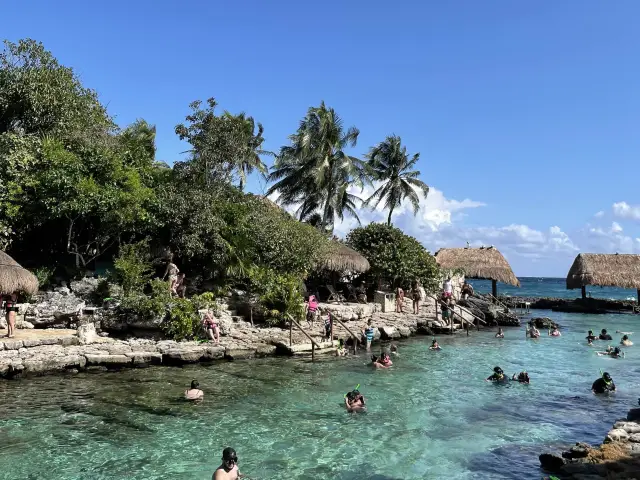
{"type": "Point", "coordinates": [430, 416]}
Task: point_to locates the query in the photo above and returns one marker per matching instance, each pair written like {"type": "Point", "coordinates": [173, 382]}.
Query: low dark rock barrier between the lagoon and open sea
{"type": "Point", "coordinates": [578, 305]}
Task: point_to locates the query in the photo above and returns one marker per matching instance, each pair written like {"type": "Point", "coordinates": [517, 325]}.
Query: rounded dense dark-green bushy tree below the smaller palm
{"type": "Point", "coordinates": [394, 257]}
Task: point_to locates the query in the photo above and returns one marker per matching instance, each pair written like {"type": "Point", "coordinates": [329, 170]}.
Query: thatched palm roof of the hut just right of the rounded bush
{"type": "Point", "coordinates": [485, 263]}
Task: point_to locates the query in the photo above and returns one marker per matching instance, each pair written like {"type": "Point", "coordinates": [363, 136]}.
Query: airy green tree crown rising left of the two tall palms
{"type": "Point", "coordinates": [222, 146]}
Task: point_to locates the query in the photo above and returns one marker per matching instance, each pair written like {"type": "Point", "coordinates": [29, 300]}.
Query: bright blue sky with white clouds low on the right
{"type": "Point", "coordinates": [526, 114]}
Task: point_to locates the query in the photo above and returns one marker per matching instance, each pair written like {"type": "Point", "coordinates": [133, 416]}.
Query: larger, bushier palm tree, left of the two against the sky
{"type": "Point", "coordinates": [315, 172]}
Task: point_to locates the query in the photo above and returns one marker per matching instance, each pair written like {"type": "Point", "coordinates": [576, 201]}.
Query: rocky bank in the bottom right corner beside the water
{"type": "Point", "coordinates": [617, 457]}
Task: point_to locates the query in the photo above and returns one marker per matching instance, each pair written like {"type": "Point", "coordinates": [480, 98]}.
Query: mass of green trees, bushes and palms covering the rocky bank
{"type": "Point", "coordinates": [77, 189]}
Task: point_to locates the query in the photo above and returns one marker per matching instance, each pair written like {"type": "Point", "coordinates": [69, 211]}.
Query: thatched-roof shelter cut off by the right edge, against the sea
{"type": "Point", "coordinates": [605, 270]}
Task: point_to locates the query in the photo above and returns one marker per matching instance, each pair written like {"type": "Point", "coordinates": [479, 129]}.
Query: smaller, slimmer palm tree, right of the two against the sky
{"type": "Point", "coordinates": [388, 162]}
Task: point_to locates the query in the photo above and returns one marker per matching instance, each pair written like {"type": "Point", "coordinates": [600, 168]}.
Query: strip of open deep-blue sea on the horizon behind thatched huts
{"type": "Point", "coordinates": [552, 287]}
